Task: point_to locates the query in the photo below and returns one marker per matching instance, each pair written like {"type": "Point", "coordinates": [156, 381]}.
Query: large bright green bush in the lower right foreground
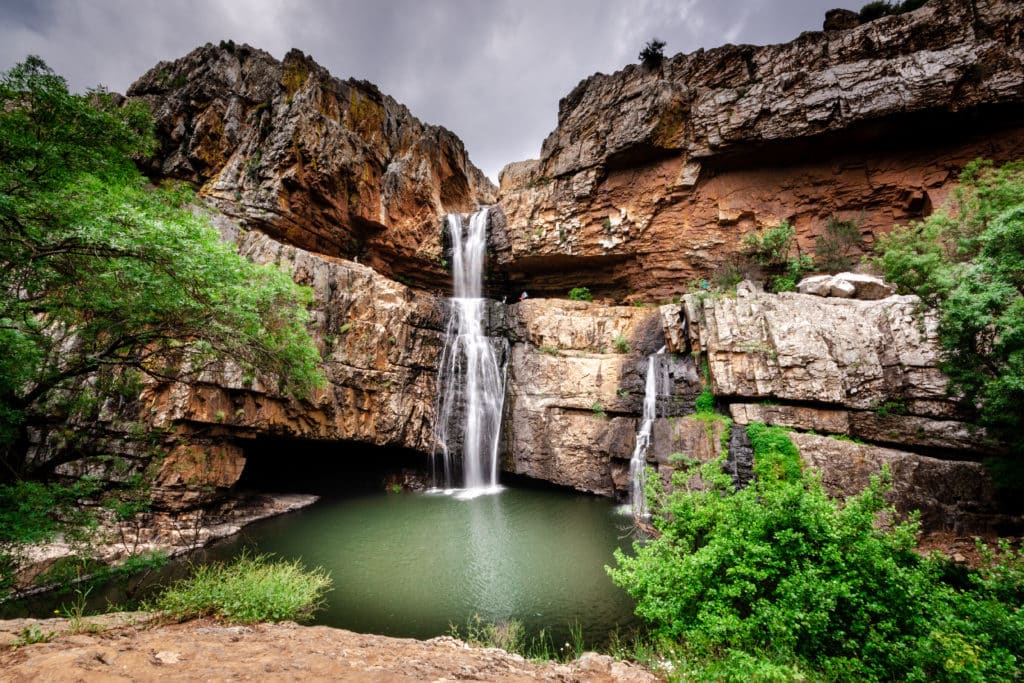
{"type": "Point", "coordinates": [780, 582]}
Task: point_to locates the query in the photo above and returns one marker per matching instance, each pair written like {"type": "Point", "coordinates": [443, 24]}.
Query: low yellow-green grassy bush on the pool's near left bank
{"type": "Point", "coordinates": [253, 588]}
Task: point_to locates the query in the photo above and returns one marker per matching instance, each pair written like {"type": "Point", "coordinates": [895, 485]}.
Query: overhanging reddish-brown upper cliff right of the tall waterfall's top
{"type": "Point", "coordinates": [653, 178]}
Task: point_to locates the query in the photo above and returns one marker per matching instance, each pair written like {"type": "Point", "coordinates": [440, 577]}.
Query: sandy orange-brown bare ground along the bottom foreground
{"type": "Point", "coordinates": [132, 648]}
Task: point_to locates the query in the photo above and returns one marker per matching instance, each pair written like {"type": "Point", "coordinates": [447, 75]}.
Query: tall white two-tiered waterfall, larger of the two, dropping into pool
{"type": "Point", "coordinates": [472, 380]}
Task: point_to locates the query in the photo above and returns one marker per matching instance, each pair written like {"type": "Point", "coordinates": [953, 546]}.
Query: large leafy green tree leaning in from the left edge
{"type": "Point", "coordinates": [105, 279]}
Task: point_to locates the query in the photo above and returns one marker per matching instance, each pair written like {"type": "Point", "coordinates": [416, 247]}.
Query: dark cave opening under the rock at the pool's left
{"type": "Point", "coordinates": [283, 465]}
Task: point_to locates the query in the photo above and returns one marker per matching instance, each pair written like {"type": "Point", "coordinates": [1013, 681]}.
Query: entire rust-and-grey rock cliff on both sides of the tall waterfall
{"type": "Point", "coordinates": [652, 179]}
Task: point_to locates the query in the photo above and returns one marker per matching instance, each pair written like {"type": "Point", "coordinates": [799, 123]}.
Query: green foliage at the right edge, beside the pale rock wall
{"type": "Point", "coordinates": [967, 261]}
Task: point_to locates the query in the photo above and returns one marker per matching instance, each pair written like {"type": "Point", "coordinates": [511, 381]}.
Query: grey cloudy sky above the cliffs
{"type": "Point", "coordinates": [491, 71]}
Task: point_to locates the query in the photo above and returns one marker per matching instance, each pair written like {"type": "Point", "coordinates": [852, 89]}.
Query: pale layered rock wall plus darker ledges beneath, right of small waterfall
{"type": "Point", "coordinates": [865, 371]}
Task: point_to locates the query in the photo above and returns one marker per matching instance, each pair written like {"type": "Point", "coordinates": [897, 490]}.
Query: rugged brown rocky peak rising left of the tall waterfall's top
{"type": "Point", "coordinates": [330, 166]}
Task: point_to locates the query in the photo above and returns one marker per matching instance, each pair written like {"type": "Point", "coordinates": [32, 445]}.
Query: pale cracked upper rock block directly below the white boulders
{"type": "Point", "coordinates": [862, 368]}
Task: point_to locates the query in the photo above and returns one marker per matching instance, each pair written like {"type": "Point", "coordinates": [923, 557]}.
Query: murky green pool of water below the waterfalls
{"type": "Point", "coordinates": [411, 565]}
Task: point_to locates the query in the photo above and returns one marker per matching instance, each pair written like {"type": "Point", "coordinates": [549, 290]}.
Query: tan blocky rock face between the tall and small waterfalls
{"type": "Point", "coordinates": [576, 391]}
